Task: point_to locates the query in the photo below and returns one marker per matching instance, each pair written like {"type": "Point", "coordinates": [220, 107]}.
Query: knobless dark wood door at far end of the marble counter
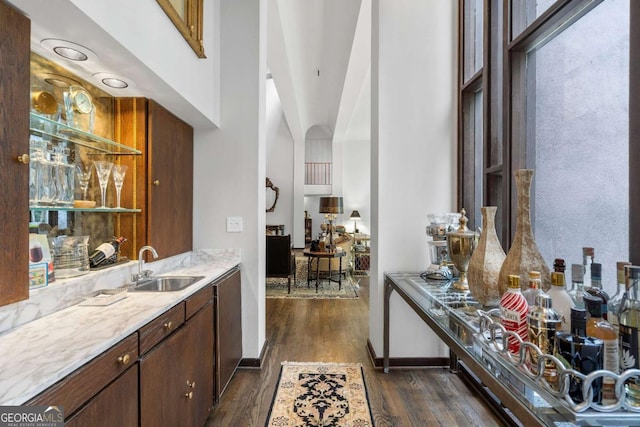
{"type": "Point", "coordinates": [228, 330]}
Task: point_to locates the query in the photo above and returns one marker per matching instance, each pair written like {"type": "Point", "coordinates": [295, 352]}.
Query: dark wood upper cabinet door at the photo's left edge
{"type": "Point", "coordinates": [15, 33]}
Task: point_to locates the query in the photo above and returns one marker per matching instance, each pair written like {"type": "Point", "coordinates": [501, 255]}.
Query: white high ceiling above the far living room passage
{"type": "Point", "coordinates": [319, 54]}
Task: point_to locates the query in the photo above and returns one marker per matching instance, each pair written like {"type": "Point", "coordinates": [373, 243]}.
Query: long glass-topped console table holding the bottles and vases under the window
{"type": "Point", "coordinates": [452, 316]}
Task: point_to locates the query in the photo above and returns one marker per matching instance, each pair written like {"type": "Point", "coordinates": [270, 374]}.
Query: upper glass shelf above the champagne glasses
{"type": "Point", "coordinates": [43, 126]}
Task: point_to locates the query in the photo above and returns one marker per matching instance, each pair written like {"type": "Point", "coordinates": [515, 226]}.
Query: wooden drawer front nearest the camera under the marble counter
{"type": "Point", "coordinates": [81, 385]}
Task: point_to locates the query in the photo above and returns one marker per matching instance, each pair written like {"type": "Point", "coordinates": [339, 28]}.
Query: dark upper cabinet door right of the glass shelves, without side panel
{"type": "Point", "coordinates": [170, 186]}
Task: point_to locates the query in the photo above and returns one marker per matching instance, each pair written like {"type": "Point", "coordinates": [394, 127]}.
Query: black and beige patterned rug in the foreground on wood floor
{"type": "Point", "coordinates": [320, 394]}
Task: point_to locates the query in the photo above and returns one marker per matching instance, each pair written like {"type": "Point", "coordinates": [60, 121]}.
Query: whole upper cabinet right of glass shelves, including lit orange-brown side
{"type": "Point", "coordinates": [163, 177]}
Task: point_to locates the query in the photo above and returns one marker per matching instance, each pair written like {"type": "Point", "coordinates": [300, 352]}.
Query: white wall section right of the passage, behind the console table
{"type": "Point", "coordinates": [413, 152]}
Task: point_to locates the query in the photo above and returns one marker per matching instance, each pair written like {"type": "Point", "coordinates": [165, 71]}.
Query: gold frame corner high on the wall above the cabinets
{"type": "Point", "coordinates": [186, 15]}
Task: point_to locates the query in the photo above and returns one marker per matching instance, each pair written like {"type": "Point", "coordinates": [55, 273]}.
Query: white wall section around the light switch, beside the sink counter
{"type": "Point", "coordinates": [229, 176]}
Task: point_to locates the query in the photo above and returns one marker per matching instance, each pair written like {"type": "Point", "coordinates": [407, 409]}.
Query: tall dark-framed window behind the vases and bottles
{"type": "Point", "coordinates": [556, 99]}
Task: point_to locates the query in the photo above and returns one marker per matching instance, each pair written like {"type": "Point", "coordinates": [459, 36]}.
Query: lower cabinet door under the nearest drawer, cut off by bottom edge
{"type": "Point", "coordinates": [116, 405]}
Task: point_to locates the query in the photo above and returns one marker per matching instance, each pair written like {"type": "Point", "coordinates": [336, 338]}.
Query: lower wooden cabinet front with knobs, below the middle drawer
{"type": "Point", "coordinates": [176, 377]}
